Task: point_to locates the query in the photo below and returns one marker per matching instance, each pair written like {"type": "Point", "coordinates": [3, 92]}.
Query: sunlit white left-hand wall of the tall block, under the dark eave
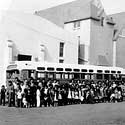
{"type": "Point", "coordinates": [84, 33]}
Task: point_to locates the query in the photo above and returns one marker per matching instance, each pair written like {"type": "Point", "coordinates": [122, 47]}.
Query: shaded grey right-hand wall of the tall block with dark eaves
{"type": "Point", "coordinates": [101, 43]}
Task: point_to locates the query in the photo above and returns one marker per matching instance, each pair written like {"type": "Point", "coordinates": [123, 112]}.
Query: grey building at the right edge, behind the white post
{"type": "Point", "coordinates": [119, 30]}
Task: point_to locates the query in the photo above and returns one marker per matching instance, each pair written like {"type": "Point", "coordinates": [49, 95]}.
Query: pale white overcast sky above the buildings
{"type": "Point", "coordinates": [110, 6]}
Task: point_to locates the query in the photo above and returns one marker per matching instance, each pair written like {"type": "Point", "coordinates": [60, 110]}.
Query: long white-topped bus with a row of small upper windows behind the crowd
{"type": "Point", "coordinates": [62, 72]}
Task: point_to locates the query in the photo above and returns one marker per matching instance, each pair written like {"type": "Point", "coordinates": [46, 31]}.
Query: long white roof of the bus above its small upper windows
{"type": "Point", "coordinates": [20, 65]}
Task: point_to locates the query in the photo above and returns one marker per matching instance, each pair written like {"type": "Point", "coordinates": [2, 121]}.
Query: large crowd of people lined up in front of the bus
{"type": "Point", "coordinates": [41, 93]}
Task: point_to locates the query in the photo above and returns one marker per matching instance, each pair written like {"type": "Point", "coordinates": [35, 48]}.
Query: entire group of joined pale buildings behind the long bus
{"type": "Point", "coordinates": [77, 32]}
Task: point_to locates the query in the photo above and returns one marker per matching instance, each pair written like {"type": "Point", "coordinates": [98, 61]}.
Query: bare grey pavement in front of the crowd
{"type": "Point", "coordinates": [84, 114]}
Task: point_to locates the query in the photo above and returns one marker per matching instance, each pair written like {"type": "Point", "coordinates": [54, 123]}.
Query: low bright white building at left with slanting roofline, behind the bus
{"type": "Point", "coordinates": [32, 38]}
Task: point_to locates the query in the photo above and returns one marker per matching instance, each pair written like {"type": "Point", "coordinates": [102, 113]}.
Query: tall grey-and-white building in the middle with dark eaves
{"type": "Point", "coordinates": [93, 28]}
